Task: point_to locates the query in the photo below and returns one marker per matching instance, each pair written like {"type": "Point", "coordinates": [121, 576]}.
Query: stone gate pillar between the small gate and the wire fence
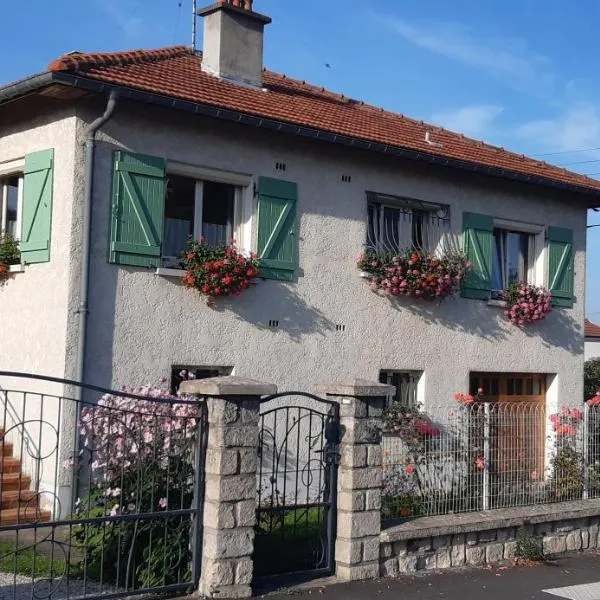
{"type": "Point", "coordinates": [360, 476]}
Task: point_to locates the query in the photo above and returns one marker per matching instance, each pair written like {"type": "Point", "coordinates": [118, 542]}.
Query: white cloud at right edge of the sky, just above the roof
{"type": "Point", "coordinates": [578, 127]}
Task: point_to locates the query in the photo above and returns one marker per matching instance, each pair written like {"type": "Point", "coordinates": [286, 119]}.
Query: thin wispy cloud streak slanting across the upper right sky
{"type": "Point", "coordinates": [507, 59]}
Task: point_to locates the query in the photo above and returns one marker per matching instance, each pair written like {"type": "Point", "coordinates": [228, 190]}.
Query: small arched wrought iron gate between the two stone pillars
{"type": "Point", "coordinates": [297, 478]}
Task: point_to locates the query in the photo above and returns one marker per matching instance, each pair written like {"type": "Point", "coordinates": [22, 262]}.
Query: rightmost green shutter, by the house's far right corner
{"type": "Point", "coordinates": [560, 265]}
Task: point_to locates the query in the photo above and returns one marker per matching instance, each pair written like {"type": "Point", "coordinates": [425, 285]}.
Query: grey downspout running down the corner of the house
{"type": "Point", "coordinates": [90, 146]}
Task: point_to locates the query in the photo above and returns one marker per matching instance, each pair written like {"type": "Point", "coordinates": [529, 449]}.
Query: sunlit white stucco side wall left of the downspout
{"type": "Point", "coordinates": [35, 305]}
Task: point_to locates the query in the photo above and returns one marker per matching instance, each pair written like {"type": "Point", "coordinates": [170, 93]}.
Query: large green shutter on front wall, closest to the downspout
{"type": "Point", "coordinates": [138, 201]}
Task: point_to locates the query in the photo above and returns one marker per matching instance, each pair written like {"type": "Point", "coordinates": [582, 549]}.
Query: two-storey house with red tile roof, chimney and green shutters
{"type": "Point", "coordinates": [109, 161]}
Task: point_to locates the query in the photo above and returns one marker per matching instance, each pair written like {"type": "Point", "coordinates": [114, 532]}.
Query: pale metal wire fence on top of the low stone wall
{"type": "Point", "coordinates": [480, 456]}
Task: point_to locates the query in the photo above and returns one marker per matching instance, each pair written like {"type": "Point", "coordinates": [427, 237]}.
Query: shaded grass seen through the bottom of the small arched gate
{"type": "Point", "coordinates": [289, 541]}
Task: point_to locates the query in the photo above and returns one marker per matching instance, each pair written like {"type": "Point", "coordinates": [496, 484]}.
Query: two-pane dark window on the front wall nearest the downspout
{"type": "Point", "coordinates": [196, 207]}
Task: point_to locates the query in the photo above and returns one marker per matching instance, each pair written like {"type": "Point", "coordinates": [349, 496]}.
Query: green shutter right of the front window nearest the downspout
{"type": "Point", "coordinates": [277, 245]}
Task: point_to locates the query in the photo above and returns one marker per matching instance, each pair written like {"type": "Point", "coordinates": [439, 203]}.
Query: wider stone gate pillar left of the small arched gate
{"type": "Point", "coordinates": [230, 499]}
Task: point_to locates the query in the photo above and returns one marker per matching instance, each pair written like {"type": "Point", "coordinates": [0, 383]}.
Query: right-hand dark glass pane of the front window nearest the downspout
{"type": "Point", "coordinates": [217, 215]}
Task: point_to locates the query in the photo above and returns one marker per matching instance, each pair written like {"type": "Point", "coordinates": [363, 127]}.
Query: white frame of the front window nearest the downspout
{"type": "Point", "coordinates": [242, 206]}
